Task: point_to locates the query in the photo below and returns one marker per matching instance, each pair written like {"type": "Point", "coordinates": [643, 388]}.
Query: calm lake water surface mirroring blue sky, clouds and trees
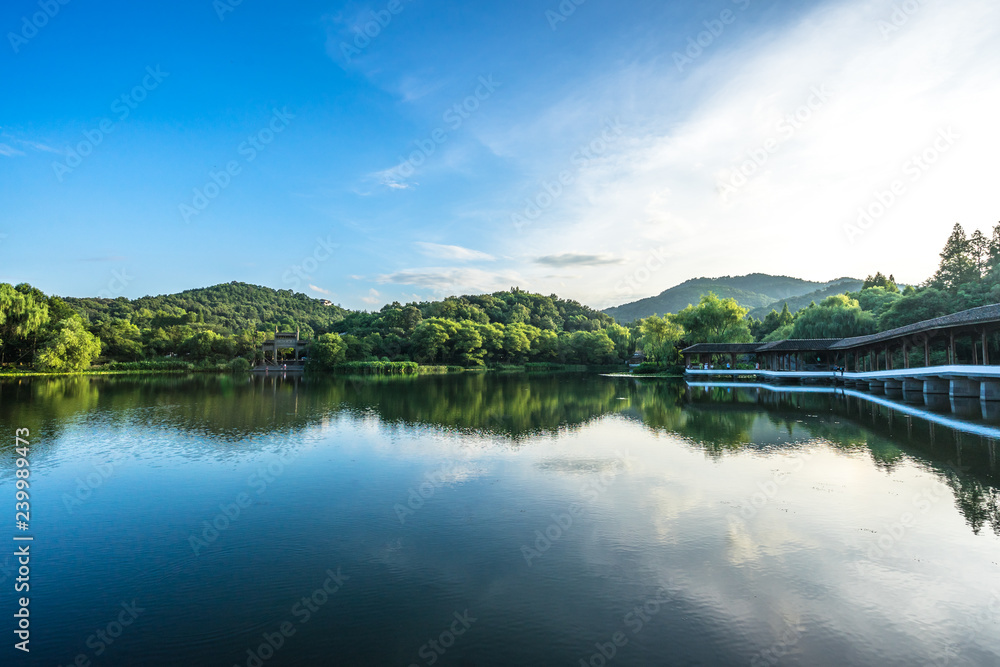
{"type": "Point", "coordinates": [496, 520]}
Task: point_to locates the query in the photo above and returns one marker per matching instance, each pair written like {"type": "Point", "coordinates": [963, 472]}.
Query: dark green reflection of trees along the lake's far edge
{"type": "Point", "coordinates": [714, 418]}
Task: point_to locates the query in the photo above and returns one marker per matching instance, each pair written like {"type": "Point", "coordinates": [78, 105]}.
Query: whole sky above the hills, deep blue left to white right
{"type": "Point", "coordinates": [596, 151]}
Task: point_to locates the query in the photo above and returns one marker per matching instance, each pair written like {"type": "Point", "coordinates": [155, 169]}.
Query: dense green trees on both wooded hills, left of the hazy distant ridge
{"type": "Point", "coordinates": [216, 326]}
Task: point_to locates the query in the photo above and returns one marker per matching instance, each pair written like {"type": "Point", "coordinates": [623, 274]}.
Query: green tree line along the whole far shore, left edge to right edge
{"type": "Point", "coordinates": [226, 324]}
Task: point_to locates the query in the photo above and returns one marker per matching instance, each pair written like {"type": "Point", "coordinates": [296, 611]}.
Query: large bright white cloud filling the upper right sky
{"type": "Point", "coordinates": [889, 97]}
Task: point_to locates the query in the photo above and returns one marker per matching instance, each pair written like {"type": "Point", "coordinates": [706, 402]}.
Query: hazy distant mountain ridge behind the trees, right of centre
{"type": "Point", "coordinates": [757, 291]}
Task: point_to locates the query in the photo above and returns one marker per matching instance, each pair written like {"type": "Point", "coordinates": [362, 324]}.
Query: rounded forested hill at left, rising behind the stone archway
{"type": "Point", "coordinates": [229, 307]}
